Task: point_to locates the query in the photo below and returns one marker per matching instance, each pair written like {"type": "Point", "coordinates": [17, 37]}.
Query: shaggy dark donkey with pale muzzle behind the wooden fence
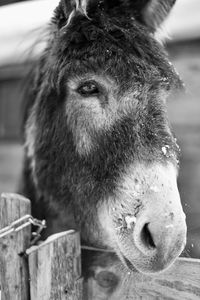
{"type": "Point", "coordinates": [99, 153]}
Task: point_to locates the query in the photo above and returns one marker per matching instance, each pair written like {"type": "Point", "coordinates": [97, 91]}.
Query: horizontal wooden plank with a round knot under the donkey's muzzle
{"type": "Point", "coordinates": [181, 281]}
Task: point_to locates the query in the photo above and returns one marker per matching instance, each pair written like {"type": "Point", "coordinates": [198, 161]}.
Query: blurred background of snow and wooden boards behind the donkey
{"type": "Point", "coordinates": [20, 26]}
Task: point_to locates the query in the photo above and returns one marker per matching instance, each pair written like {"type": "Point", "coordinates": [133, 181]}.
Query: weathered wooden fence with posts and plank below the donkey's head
{"type": "Point", "coordinates": [52, 270]}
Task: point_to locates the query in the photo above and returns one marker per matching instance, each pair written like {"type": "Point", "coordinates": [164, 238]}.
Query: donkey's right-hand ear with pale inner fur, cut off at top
{"type": "Point", "coordinates": [154, 12]}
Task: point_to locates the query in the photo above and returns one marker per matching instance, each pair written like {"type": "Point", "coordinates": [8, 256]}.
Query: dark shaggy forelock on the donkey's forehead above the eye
{"type": "Point", "coordinates": [121, 47]}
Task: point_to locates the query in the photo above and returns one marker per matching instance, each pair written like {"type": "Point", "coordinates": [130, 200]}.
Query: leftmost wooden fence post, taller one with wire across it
{"type": "Point", "coordinates": [13, 267]}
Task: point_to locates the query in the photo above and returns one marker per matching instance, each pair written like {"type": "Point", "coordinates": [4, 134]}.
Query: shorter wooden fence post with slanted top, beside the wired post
{"type": "Point", "coordinates": [55, 268]}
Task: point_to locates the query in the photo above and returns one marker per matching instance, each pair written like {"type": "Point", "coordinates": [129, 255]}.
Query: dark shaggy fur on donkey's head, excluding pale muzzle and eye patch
{"type": "Point", "coordinates": [65, 181]}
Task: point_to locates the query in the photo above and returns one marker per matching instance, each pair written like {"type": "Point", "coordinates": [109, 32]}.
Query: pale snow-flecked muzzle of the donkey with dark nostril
{"type": "Point", "coordinates": [148, 236]}
